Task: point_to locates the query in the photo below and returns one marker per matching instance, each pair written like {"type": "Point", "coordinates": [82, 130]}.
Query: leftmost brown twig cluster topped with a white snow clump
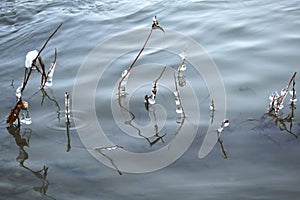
{"type": "Point", "coordinates": [46, 80]}
